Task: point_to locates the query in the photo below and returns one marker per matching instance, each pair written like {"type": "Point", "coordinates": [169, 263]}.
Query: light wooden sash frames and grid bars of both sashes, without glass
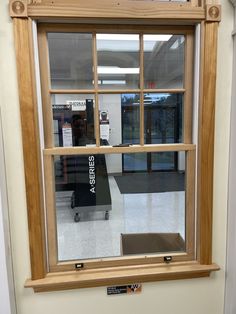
{"type": "Point", "coordinates": [50, 151]}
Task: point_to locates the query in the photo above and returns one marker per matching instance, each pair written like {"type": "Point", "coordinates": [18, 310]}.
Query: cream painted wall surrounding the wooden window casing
{"type": "Point", "coordinates": [198, 296]}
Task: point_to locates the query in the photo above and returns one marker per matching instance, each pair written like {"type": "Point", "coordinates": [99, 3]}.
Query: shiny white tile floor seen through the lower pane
{"type": "Point", "coordinates": [95, 237]}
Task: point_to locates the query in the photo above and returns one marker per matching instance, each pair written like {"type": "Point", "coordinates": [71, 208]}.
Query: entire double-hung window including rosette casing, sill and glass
{"type": "Point", "coordinates": [117, 110]}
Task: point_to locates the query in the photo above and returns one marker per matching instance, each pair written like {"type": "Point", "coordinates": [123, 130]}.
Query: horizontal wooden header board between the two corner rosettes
{"type": "Point", "coordinates": [117, 9]}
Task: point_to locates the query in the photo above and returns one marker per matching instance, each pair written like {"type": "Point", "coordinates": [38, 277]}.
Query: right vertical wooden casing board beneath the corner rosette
{"type": "Point", "coordinates": [206, 143]}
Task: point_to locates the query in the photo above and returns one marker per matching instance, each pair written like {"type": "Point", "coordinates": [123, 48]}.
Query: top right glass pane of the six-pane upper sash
{"type": "Point", "coordinates": [164, 61]}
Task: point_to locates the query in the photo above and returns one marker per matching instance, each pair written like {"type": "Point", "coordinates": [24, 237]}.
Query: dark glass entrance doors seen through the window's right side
{"type": "Point", "coordinates": [162, 124]}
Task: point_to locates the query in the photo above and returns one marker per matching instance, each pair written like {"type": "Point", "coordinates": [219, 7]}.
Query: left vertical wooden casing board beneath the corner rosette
{"type": "Point", "coordinates": [31, 150]}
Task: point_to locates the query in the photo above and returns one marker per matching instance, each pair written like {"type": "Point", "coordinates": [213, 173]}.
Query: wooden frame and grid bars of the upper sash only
{"type": "Point", "coordinates": [95, 93]}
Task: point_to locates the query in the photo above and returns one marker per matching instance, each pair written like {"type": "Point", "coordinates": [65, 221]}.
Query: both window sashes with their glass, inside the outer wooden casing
{"type": "Point", "coordinates": [119, 157]}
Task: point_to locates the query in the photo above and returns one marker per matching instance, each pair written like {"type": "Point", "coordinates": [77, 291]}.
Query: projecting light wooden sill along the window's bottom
{"type": "Point", "coordinates": [120, 275]}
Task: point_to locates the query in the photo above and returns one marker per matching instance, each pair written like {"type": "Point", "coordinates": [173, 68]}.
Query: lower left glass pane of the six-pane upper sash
{"type": "Point", "coordinates": [73, 119]}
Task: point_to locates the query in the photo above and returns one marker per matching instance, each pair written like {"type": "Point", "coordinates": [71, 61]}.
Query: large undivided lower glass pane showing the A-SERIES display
{"type": "Point", "coordinates": [103, 212]}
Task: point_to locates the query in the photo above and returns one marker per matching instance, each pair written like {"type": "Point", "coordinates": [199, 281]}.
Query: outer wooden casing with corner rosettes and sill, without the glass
{"type": "Point", "coordinates": [145, 12]}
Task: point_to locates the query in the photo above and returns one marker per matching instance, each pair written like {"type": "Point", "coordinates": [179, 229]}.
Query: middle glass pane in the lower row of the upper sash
{"type": "Point", "coordinates": [119, 119]}
